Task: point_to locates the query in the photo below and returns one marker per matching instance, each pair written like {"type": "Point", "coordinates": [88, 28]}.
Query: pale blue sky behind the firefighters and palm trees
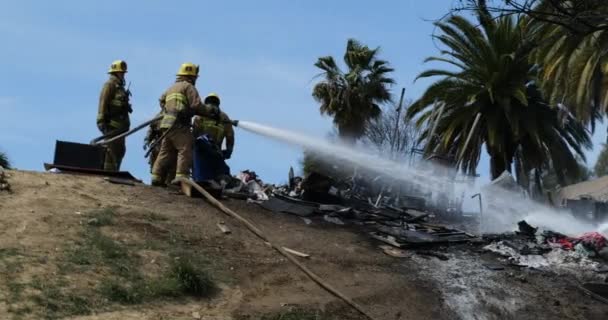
{"type": "Point", "coordinates": [258, 55]}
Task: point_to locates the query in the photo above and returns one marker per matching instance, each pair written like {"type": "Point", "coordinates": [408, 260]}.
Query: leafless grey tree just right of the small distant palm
{"type": "Point", "coordinates": [391, 133]}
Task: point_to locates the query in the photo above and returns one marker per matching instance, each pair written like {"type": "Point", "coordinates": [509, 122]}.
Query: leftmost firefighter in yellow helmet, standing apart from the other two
{"type": "Point", "coordinates": [113, 114]}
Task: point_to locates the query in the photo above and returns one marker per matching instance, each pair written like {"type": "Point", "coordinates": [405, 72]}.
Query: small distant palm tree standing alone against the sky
{"type": "Point", "coordinates": [352, 98]}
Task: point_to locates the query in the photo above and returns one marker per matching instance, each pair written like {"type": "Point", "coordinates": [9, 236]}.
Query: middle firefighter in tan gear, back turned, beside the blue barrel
{"type": "Point", "coordinates": [179, 104]}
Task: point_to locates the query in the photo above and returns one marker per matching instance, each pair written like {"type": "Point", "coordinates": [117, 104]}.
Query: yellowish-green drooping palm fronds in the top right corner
{"type": "Point", "coordinates": [574, 60]}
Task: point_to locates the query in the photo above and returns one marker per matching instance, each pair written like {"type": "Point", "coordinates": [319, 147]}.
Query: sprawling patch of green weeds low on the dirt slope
{"type": "Point", "coordinates": [127, 285]}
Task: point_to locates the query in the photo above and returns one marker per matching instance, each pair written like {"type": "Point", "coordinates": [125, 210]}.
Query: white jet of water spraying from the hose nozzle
{"type": "Point", "coordinates": [502, 208]}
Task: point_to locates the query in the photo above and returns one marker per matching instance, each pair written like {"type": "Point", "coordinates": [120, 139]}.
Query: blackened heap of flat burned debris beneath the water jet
{"type": "Point", "coordinates": [399, 221]}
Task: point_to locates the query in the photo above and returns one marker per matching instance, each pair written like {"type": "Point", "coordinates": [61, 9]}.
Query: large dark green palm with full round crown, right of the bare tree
{"type": "Point", "coordinates": [489, 98]}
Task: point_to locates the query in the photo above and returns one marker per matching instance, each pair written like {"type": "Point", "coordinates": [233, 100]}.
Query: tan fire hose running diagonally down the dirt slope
{"type": "Point", "coordinates": [278, 248]}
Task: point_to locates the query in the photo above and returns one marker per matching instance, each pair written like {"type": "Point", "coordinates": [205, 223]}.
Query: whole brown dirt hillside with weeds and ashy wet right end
{"type": "Point", "coordinates": [78, 247]}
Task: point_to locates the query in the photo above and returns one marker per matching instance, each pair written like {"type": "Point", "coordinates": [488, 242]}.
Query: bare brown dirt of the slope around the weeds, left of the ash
{"type": "Point", "coordinates": [45, 217]}
